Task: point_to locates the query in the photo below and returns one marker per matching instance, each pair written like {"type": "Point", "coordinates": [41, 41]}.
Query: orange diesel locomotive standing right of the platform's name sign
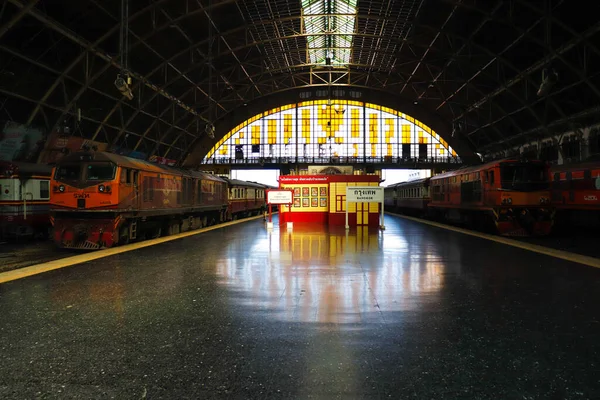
{"type": "Point", "coordinates": [512, 194]}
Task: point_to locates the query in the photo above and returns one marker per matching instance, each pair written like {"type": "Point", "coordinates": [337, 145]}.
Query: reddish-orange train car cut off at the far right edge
{"type": "Point", "coordinates": [576, 193]}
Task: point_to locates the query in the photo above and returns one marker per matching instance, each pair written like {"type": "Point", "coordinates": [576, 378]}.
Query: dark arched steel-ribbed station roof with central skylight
{"type": "Point", "coordinates": [472, 66]}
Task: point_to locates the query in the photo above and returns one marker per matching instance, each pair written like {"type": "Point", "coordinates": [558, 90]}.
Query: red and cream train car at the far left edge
{"type": "Point", "coordinates": [24, 199]}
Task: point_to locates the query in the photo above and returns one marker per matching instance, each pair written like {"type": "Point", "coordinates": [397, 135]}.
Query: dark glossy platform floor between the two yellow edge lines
{"type": "Point", "coordinates": [411, 312]}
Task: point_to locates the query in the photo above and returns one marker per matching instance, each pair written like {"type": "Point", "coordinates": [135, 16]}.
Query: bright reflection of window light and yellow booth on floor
{"type": "Point", "coordinates": [328, 275]}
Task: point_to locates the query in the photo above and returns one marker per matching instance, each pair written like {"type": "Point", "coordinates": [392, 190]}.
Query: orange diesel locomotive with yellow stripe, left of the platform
{"type": "Point", "coordinates": [102, 199]}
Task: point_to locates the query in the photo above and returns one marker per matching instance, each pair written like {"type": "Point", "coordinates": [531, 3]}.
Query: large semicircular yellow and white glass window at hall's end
{"type": "Point", "coordinates": [323, 129]}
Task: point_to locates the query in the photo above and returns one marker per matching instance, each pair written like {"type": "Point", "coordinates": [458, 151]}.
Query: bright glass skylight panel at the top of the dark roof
{"type": "Point", "coordinates": [329, 25]}
